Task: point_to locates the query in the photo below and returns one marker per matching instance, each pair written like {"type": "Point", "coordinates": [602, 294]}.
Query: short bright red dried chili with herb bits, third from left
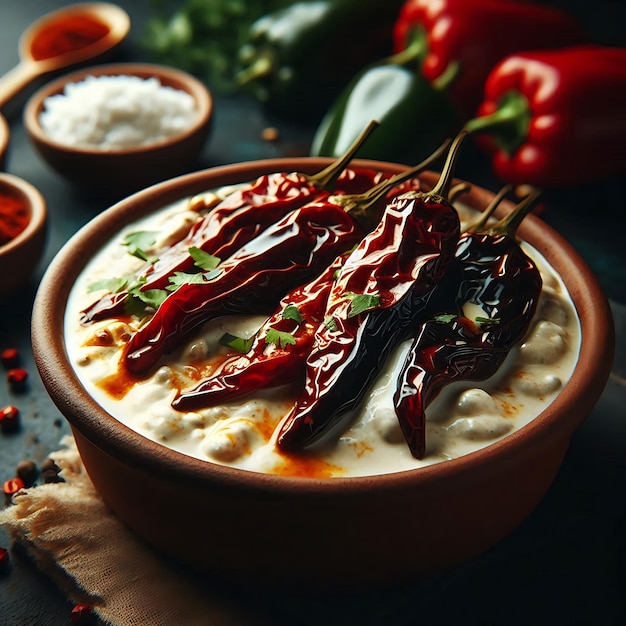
{"type": "Point", "coordinates": [269, 363]}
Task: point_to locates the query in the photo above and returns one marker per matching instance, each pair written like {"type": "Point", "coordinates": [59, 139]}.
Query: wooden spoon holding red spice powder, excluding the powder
{"type": "Point", "coordinates": [31, 66]}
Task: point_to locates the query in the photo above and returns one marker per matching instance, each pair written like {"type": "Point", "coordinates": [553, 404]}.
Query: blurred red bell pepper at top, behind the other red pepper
{"type": "Point", "coordinates": [464, 39]}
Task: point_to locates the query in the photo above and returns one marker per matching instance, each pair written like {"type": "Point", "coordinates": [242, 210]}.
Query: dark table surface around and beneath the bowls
{"type": "Point", "coordinates": [566, 564]}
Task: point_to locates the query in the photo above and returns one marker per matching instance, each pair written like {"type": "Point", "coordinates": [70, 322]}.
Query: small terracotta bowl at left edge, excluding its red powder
{"type": "Point", "coordinates": [20, 255]}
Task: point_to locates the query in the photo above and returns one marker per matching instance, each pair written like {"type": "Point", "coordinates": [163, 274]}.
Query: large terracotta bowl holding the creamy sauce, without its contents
{"type": "Point", "coordinates": [364, 530]}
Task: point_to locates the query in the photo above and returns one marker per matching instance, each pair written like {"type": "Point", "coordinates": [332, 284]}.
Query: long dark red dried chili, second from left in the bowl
{"type": "Point", "coordinates": [293, 250]}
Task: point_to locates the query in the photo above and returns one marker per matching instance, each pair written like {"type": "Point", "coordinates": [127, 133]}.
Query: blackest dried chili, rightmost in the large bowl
{"type": "Point", "coordinates": [493, 272]}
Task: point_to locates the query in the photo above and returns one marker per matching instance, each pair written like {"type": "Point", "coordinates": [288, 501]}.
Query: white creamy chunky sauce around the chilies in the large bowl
{"type": "Point", "coordinates": [464, 418]}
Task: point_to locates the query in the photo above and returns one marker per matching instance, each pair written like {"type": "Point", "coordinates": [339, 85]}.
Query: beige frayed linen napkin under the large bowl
{"type": "Point", "coordinates": [94, 558]}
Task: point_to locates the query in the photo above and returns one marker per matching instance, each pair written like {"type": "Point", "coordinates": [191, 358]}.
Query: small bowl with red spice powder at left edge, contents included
{"type": "Point", "coordinates": [23, 217]}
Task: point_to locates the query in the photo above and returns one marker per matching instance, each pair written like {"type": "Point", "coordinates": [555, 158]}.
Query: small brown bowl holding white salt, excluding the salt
{"type": "Point", "coordinates": [125, 169]}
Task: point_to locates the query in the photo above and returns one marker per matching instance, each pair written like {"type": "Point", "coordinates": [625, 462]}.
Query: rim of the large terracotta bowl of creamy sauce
{"type": "Point", "coordinates": [128, 446]}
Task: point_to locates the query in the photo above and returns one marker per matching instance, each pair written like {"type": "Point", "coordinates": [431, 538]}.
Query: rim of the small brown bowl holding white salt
{"type": "Point", "coordinates": [185, 81]}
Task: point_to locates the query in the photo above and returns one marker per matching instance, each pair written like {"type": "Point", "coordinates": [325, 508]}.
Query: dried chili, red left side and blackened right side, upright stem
{"type": "Point", "coordinates": [382, 286]}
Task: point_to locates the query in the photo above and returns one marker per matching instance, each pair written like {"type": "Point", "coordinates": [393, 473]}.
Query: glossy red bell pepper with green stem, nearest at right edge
{"type": "Point", "coordinates": [556, 118]}
